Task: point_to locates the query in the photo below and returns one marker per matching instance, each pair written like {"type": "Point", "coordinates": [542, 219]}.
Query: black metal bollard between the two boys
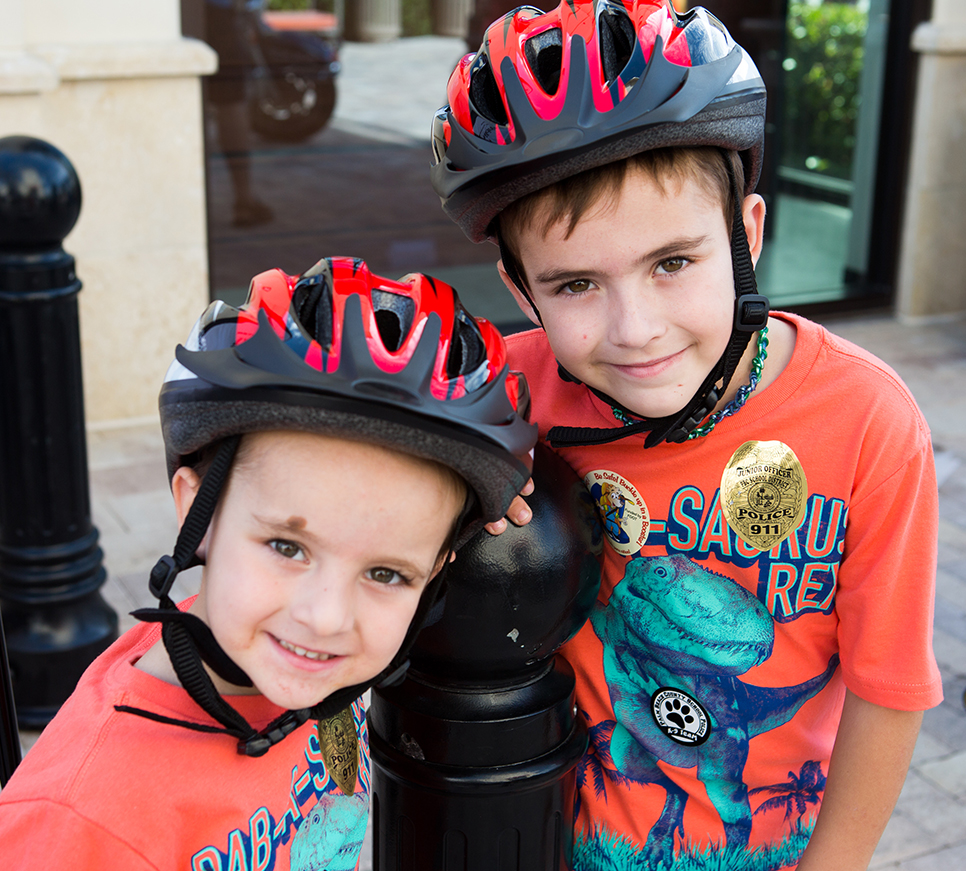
{"type": "Point", "coordinates": [474, 753]}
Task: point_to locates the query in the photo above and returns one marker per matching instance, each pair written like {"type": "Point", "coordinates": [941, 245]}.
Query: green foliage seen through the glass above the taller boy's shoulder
{"type": "Point", "coordinates": [822, 67]}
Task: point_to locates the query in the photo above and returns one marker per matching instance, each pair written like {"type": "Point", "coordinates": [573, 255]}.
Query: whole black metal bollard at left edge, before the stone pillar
{"type": "Point", "coordinates": [50, 563]}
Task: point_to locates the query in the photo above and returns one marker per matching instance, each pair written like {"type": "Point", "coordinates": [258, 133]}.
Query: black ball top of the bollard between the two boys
{"type": "Point", "coordinates": [513, 599]}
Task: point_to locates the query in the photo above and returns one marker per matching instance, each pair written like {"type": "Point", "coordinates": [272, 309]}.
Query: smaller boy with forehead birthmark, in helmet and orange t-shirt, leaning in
{"type": "Point", "coordinates": [329, 445]}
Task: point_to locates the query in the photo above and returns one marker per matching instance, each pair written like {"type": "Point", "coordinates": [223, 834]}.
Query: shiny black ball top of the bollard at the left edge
{"type": "Point", "coordinates": [40, 194]}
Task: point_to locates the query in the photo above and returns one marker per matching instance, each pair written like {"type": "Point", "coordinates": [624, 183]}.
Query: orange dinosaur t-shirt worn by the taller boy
{"type": "Point", "coordinates": [749, 577]}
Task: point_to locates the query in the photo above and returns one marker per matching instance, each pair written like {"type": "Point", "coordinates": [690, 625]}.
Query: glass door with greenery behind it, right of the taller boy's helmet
{"type": "Point", "coordinates": [823, 63]}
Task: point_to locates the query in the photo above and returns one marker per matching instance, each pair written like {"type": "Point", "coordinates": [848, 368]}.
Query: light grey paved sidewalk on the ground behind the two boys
{"type": "Point", "coordinates": [132, 509]}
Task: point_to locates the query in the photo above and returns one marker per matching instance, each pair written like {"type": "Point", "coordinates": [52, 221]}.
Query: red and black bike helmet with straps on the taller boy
{"type": "Point", "coordinates": [550, 95]}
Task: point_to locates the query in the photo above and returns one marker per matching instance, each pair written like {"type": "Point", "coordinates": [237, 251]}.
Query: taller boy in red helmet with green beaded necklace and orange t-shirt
{"type": "Point", "coordinates": [755, 670]}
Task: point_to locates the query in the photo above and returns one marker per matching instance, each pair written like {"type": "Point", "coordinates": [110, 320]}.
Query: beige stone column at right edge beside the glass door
{"type": "Point", "coordinates": [932, 268]}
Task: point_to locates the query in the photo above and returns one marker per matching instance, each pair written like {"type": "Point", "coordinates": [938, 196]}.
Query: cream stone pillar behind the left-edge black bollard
{"type": "Point", "coordinates": [117, 90]}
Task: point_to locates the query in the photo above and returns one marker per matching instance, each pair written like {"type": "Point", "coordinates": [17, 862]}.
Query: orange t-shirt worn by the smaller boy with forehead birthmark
{"type": "Point", "coordinates": [108, 789]}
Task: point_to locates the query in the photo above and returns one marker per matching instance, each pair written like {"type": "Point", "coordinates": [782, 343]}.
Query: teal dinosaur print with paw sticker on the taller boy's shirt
{"type": "Point", "coordinates": [676, 636]}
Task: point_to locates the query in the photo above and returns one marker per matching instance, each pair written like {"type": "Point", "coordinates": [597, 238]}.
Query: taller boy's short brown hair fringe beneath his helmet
{"type": "Point", "coordinates": [570, 199]}
